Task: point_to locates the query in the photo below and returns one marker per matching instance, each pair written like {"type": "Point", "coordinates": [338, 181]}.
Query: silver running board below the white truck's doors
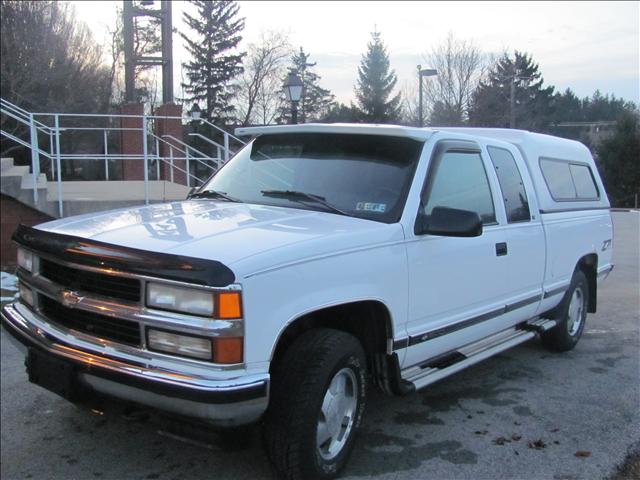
{"type": "Point", "coordinates": [444, 365]}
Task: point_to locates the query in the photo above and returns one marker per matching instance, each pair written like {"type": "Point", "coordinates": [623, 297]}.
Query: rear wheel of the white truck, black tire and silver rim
{"type": "Point", "coordinates": [565, 335]}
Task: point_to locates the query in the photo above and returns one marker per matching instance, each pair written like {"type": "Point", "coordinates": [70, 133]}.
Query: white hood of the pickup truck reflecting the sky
{"type": "Point", "coordinates": [245, 237]}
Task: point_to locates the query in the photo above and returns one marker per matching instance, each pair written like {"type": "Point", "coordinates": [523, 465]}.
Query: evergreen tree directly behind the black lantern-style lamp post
{"type": "Point", "coordinates": [316, 101]}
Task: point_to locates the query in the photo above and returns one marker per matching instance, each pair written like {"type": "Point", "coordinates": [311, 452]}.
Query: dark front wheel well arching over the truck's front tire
{"type": "Point", "coordinates": [368, 321]}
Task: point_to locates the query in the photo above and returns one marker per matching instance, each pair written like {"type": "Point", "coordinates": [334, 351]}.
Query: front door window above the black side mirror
{"type": "Point", "coordinates": [459, 181]}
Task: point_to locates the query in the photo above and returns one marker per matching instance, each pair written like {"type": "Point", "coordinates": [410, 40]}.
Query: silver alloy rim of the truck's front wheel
{"type": "Point", "coordinates": [337, 414]}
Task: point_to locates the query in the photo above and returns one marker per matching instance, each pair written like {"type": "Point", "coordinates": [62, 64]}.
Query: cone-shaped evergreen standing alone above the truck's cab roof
{"type": "Point", "coordinates": [374, 91]}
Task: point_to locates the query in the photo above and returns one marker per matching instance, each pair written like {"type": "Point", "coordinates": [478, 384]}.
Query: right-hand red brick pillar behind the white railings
{"type": "Point", "coordinates": [173, 127]}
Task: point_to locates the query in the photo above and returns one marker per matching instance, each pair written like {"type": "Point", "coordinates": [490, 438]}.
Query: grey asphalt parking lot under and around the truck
{"type": "Point", "coordinates": [525, 414]}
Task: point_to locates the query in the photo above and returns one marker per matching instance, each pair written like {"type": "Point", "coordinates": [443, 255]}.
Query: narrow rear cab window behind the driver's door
{"type": "Point", "coordinates": [514, 195]}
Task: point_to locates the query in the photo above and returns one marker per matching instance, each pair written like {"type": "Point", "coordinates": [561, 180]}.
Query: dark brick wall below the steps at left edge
{"type": "Point", "coordinates": [12, 214]}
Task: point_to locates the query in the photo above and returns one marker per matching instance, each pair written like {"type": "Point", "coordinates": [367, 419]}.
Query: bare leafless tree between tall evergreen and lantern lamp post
{"type": "Point", "coordinates": [260, 84]}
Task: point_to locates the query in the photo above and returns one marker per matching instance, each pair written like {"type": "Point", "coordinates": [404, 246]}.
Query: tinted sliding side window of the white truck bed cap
{"type": "Point", "coordinates": [568, 181]}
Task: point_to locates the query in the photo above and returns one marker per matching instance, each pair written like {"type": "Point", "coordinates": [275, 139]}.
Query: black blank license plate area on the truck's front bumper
{"type": "Point", "coordinates": [57, 376]}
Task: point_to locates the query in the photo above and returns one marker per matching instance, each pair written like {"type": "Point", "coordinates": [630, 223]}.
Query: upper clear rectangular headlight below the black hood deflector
{"type": "Point", "coordinates": [180, 299]}
